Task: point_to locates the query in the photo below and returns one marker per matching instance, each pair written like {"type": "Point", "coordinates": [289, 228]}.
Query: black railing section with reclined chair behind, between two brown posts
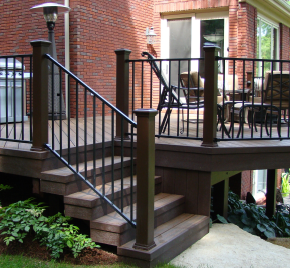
{"type": "Point", "coordinates": [158, 84]}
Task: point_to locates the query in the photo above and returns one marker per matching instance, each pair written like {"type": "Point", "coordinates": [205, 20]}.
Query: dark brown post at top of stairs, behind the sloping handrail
{"type": "Point", "coordinates": [122, 89]}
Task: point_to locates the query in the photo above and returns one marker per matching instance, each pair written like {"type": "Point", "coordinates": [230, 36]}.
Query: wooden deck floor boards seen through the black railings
{"type": "Point", "coordinates": [228, 143]}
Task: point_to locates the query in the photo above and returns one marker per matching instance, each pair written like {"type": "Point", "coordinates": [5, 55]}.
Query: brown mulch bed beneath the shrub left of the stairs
{"type": "Point", "coordinates": [32, 249]}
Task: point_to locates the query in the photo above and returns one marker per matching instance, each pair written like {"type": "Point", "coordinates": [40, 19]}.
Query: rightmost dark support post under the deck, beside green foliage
{"type": "Point", "coordinates": [271, 193]}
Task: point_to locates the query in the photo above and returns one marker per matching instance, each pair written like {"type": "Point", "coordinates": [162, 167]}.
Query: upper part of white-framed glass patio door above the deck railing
{"type": "Point", "coordinates": [183, 36]}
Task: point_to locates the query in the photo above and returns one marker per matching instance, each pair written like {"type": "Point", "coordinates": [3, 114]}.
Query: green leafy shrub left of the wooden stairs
{"type": "Point", "coordinates": [20, 218]}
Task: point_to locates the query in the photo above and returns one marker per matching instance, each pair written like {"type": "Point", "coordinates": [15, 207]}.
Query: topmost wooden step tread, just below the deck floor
{"type": "Point", "coordinates": [65, 173]}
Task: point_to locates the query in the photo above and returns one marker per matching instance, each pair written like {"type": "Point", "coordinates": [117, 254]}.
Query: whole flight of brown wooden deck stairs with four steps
{"type": "Point", "coordinates": [175, 230]}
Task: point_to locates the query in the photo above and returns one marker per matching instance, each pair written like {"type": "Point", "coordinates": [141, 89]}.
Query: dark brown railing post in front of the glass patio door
{"type": "Point", "coordinates": [210, 96]}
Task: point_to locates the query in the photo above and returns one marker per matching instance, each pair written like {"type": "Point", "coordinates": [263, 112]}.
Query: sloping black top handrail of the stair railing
{"type": "Point", "coordinates": [92, 91]}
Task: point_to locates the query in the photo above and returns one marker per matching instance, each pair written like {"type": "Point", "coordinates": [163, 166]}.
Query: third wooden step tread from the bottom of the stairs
{"type": "Point", "coordinates": [88, 198]}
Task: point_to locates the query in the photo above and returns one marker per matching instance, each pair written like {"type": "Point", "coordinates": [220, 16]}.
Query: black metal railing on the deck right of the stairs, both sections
{"type": "Point", "coordinates": [247, 108]}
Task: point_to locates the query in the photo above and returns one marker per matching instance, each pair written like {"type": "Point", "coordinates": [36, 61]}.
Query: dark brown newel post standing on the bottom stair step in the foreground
{"type": "Point", "coordinates": [145, 178]}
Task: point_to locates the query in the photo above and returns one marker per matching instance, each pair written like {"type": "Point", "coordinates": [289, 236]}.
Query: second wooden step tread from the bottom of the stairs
{"type": "Point", "coordinates": [113, 222]}
